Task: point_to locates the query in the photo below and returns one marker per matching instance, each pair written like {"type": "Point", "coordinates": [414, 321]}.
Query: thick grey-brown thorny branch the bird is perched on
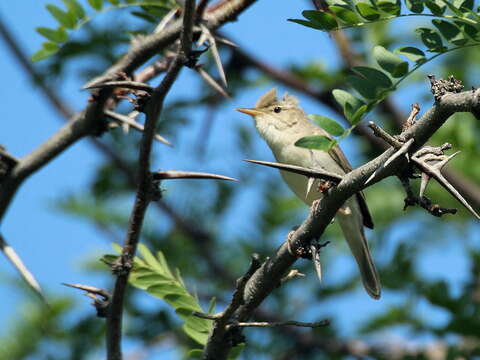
{"type": "Point", "coordinates": [268, 276]}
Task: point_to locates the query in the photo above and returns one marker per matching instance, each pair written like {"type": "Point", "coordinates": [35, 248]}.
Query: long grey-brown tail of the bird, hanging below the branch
{"type": "Point", "coordinates": [350, 220]}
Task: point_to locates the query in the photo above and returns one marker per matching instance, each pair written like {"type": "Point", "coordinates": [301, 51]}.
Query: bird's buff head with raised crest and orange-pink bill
{"type": "Point", "coordinates": [272, 115]}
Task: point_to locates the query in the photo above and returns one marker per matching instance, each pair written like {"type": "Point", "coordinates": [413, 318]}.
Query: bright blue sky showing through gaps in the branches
{"type": "Point", "coordinates": [54, 245]}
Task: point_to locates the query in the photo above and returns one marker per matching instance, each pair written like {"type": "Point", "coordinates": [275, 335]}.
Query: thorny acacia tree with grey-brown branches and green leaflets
{"type": "Point", "coordinates": [188, 35]}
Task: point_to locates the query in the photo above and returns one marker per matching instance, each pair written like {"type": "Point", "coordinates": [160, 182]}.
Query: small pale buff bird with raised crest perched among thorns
{"type": "Point", "coordinates": [281, 123]}
